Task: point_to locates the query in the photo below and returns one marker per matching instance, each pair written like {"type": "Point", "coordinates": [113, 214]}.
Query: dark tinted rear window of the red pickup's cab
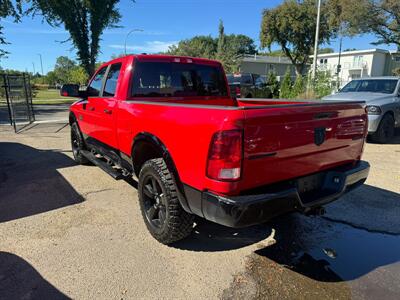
{"type": "Point", "coordinates": [165, 79]}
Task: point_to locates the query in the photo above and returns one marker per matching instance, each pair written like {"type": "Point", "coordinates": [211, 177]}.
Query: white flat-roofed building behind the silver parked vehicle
{"type": "Point", "coordinates": [359, 63]}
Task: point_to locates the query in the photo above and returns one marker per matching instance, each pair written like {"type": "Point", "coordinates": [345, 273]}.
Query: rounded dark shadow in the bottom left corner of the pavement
{"type": "Point", "coordinates": [19, 280]}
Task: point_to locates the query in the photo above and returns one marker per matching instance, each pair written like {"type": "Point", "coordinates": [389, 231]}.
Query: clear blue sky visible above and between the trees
{"type": "Point", "coordinates": [164, 23]}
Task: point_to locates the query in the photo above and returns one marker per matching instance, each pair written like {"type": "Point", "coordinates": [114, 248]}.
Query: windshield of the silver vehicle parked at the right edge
{"type": "Point", "coordinates": [386, 86]}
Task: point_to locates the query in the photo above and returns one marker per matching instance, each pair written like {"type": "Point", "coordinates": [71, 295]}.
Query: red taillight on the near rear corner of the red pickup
{"type": "Point", "coordinates": [225, 156]}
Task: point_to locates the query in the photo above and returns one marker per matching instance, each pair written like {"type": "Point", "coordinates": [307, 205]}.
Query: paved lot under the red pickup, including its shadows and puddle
{"type": "Point", "coordinates": [69, 231]}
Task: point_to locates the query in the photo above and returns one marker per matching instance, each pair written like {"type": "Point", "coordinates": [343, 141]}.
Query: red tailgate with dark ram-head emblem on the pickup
{"type": "Point", "coordinates": [286, 141]}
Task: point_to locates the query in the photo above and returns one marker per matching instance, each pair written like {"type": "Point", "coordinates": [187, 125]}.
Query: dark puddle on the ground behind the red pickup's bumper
{"type": "Point", "coordinates": [331, 252]}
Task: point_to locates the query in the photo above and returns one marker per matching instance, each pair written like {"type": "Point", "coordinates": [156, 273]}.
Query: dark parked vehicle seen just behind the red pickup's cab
{"type": "Point", "coordinates": [246, 85]}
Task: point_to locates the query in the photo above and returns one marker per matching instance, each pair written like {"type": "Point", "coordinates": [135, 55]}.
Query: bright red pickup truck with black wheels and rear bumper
{"type": "Point", "coordinates": [171, 122]}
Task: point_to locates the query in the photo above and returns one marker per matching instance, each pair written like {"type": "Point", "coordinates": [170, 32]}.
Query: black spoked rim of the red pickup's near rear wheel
{"type": "Point", "coordinates": [154, 202]}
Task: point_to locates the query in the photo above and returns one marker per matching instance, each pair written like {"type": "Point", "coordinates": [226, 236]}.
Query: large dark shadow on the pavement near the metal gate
{"type": "Point", "coordinates": [30, 183]}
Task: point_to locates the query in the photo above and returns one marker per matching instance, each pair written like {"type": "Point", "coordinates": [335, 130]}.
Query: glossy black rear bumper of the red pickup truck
{"type": "Point", "coordinates": [246, 210]}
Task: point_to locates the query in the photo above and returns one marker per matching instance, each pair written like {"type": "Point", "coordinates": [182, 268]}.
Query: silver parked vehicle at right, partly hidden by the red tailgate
{"type": "Point", "coordinates": [382, 96]}
